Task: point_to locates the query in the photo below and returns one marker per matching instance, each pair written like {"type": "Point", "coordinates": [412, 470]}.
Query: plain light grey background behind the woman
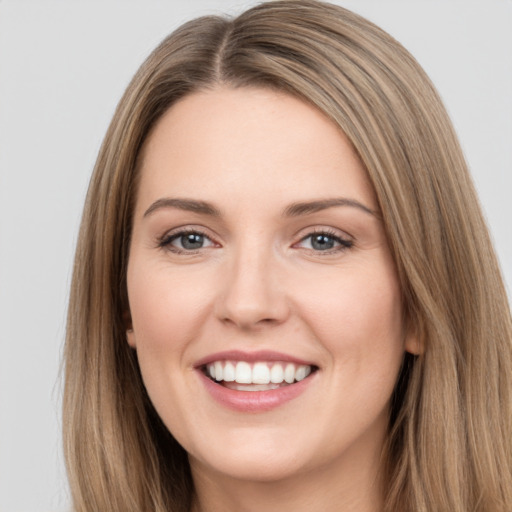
{"type": "Point", "coordinates": [63, 67]}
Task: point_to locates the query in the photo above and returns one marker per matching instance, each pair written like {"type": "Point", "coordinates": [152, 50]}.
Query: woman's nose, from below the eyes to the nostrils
{"type": "Point", "coordinates": [252, 294]}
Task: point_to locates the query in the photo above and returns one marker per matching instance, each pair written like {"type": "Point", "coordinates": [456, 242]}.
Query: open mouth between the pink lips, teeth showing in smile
{"type": "Point", "coordinates": [257, 376]}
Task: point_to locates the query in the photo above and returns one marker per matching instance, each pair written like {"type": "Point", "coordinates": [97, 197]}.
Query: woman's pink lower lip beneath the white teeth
{"type": "Point", "coordinates": [254, 401]}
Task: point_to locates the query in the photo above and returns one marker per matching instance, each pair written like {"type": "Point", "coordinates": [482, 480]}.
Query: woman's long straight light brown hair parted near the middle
{"type": "Point", "coordinates": [450, 434]}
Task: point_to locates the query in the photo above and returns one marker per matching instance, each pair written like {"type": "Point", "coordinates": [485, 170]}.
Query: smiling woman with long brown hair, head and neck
{"type": "Point", "coordinates": [284, 291]}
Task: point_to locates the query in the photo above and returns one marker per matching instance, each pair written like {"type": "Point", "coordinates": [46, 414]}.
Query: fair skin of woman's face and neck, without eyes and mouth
{"type": "Point", "coordinates": [258, 283]}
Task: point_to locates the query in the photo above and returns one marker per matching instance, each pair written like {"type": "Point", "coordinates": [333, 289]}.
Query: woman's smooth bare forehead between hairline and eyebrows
{"type": "Point", "coordinates": [249, 143]}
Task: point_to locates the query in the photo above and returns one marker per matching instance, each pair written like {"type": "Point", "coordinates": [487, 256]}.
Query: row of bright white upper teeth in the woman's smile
{"type": "Point", "coordinates": [260, 373]}
